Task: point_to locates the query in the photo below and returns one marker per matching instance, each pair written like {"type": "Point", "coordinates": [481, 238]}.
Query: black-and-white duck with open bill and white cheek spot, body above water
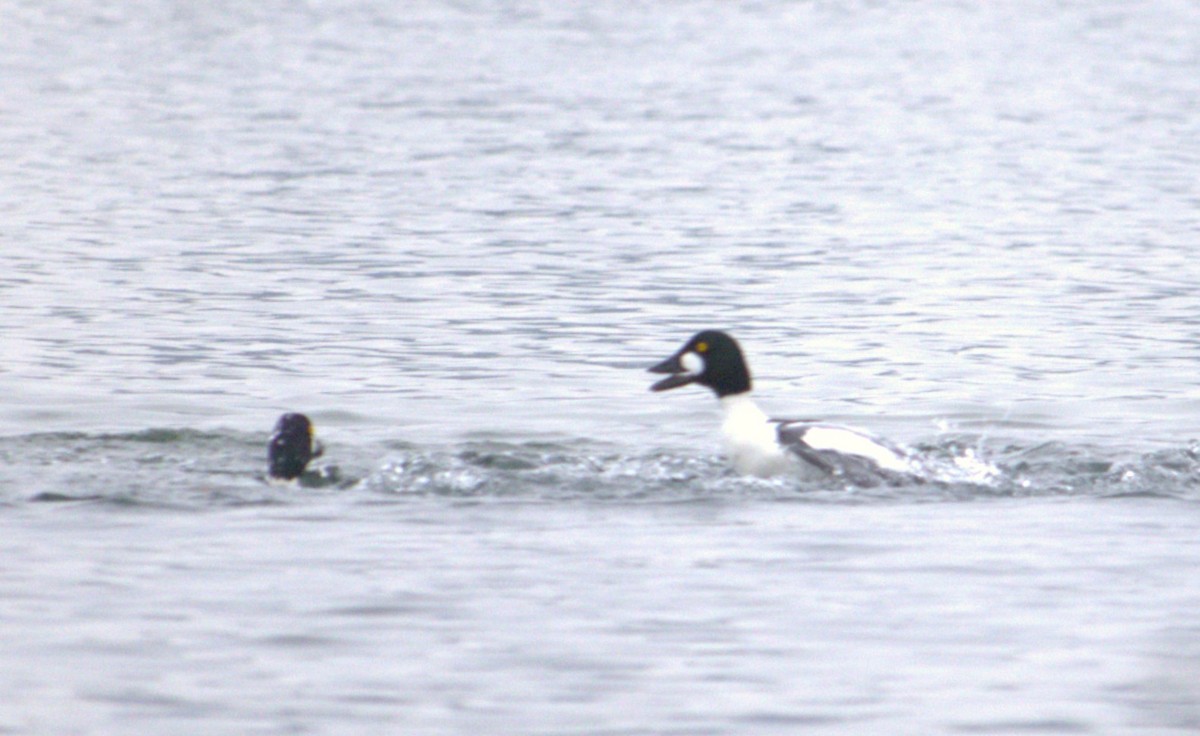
{"type": "Point", "coordinates": [764, 447]}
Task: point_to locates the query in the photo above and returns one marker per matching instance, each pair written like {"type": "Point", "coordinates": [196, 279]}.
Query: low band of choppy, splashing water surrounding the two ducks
{"type": "Point", "coordinates": [188, 469]}
